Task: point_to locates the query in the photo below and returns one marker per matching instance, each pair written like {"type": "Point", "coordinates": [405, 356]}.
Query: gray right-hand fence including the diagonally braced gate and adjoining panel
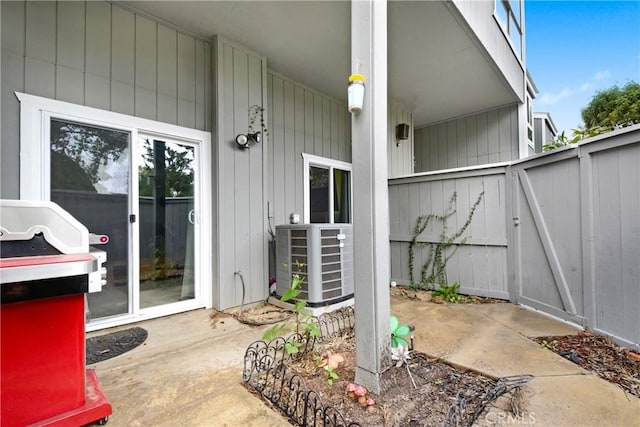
{"type": "Point", "coordinates": [575, 234]}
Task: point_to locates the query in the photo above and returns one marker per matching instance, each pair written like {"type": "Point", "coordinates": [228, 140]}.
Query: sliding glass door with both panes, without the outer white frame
{"type": "Point", "coordinates": [96, 174]}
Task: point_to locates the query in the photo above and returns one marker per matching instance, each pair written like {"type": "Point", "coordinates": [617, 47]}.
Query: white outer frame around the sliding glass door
{"type": "Point", "coordinates": [35, 173]}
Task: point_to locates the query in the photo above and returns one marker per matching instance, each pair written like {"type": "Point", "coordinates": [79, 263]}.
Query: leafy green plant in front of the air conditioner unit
{"type": "Point", "coordinates": [303, 324]}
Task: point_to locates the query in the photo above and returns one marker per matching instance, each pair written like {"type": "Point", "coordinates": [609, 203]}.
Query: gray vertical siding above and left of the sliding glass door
{"type": "Point", "coordinates": [99, 55]}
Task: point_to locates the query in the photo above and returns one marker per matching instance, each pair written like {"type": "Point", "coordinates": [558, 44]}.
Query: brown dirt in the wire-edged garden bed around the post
{"type": "Point", "coordinates": [442, 395]}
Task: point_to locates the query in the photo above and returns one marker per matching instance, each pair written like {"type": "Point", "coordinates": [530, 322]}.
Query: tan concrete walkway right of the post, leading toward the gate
{"type": "Point", "coordinates": [493, 339]}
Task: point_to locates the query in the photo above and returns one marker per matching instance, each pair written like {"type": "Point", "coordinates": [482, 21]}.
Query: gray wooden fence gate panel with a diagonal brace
{"type": "Point", "coordinates": [546, 230]}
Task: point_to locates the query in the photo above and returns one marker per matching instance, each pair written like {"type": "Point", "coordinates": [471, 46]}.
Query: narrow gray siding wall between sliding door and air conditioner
{"type": "Point", "coordinates": [239, 175]}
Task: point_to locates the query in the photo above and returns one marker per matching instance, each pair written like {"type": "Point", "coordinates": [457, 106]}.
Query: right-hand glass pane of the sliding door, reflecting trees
{"type": "Point", "coordinates": [166, 221]}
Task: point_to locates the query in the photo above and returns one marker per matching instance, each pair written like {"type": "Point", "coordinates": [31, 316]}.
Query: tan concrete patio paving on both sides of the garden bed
{"type": "Point", "coordinates": [188, 373]}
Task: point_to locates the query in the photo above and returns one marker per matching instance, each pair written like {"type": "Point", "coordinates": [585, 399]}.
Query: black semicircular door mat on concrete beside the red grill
{"type": "Point", "coordinates": [105, 347]}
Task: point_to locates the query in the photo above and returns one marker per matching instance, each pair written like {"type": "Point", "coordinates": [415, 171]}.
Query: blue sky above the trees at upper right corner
{"type": "Point", "coordinates": [575, 48]}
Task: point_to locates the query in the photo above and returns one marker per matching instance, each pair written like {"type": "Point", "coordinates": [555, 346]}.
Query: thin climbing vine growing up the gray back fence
{"type": "Point", "coordinates": [434, 270]}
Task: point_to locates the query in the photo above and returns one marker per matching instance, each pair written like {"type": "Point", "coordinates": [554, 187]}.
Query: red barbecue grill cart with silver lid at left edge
{"type": "Point", "coordinates": [46, 267]}
